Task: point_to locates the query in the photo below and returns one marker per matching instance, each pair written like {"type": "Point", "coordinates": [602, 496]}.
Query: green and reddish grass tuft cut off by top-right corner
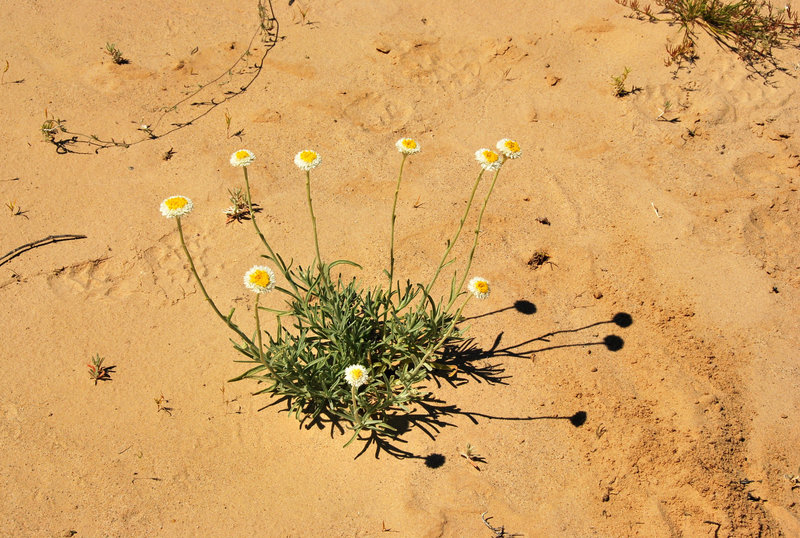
{"type": "Point", "coordinates": [752, 29]}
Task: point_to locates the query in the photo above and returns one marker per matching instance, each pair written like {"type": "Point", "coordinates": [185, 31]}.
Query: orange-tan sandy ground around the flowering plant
{"type": "Point", "coordinates": [684, 233]}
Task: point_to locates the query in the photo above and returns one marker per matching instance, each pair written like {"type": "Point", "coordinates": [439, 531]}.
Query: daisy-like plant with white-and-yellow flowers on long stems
{"type": "Point", "coordinates": [356, 351]}
